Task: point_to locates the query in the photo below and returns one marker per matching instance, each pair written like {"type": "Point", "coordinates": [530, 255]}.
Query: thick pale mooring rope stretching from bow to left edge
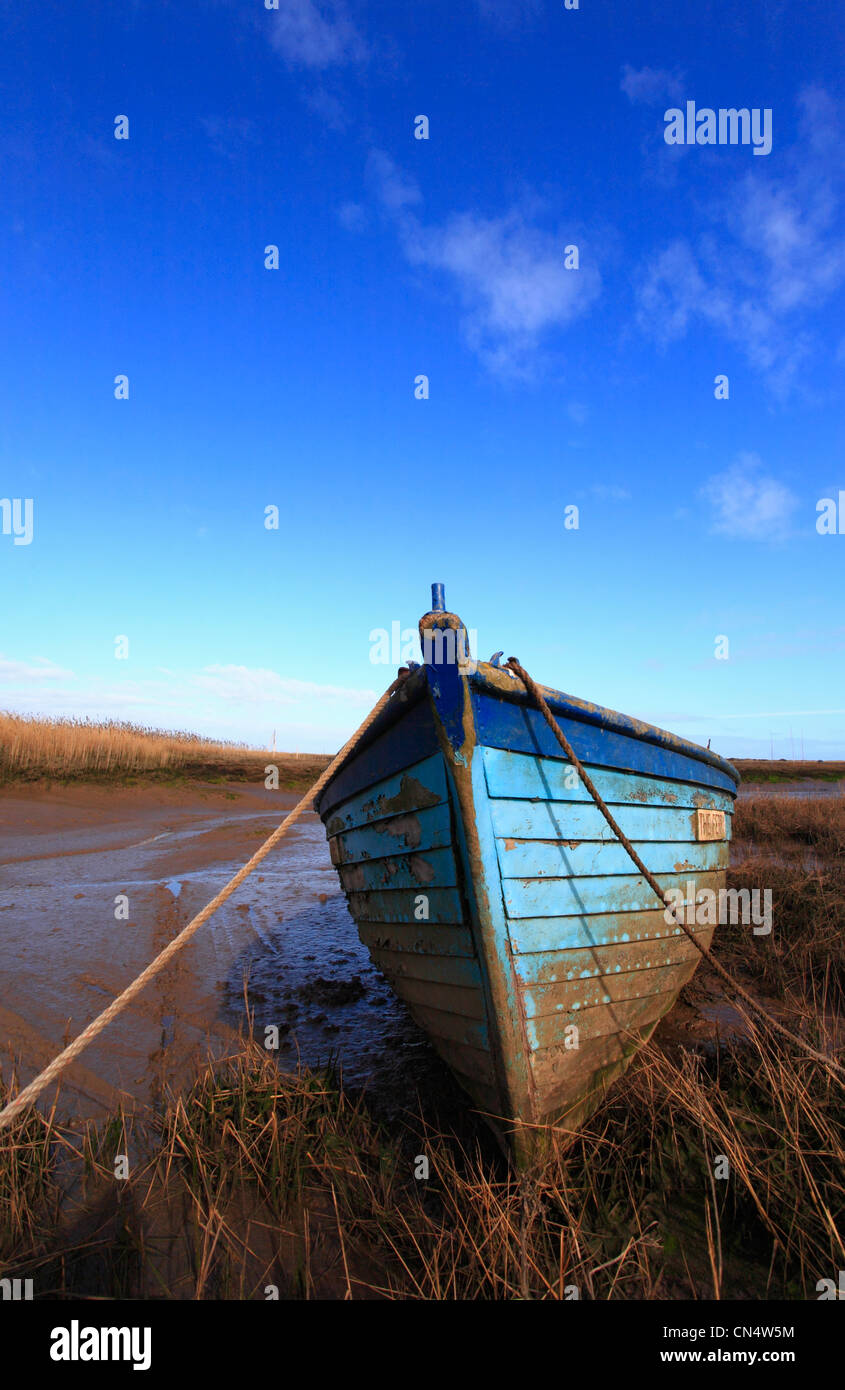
{"type": "Point", "coordinates": [104, 1020]}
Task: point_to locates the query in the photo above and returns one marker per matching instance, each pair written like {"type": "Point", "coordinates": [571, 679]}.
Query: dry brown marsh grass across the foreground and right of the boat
{"type": "Point", "coordinates": [712, 1171]}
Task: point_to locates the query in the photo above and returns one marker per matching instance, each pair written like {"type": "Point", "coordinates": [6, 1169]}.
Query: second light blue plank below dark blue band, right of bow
{"type": "Point", "coordinates": [577, 821]}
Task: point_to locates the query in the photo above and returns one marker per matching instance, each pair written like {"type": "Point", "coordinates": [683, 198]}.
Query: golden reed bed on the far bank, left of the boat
{"type": "Point", "coordinates": [34, 749]}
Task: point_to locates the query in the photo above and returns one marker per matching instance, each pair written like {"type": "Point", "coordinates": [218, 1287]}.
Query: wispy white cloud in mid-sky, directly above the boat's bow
{"type": "Point", "coordinates": [509, 272]}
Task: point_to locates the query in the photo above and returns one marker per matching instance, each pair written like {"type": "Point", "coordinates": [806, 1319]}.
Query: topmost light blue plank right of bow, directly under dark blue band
{"type": "Point", "coordinates": [547, 779]}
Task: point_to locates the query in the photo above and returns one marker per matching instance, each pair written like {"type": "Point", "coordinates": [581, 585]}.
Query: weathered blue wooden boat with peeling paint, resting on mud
{"type": "Point", "coordinates": [493, 894]}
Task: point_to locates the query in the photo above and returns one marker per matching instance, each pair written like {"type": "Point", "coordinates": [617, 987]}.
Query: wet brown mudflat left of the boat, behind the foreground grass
{"type": "Point", "coordinates": [95, 881]}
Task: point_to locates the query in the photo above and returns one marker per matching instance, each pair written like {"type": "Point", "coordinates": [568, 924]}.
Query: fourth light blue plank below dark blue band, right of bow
{"type": "Point", "coordinates": [571, 897]}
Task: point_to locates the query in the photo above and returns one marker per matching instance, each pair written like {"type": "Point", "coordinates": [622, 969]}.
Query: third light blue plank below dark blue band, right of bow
{"type": "Point", "coordinates": [593, 858]}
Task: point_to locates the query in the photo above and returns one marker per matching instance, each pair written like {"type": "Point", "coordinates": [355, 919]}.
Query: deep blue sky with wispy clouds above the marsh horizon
{"type": "Point", "coordinates": [550, 387]}
